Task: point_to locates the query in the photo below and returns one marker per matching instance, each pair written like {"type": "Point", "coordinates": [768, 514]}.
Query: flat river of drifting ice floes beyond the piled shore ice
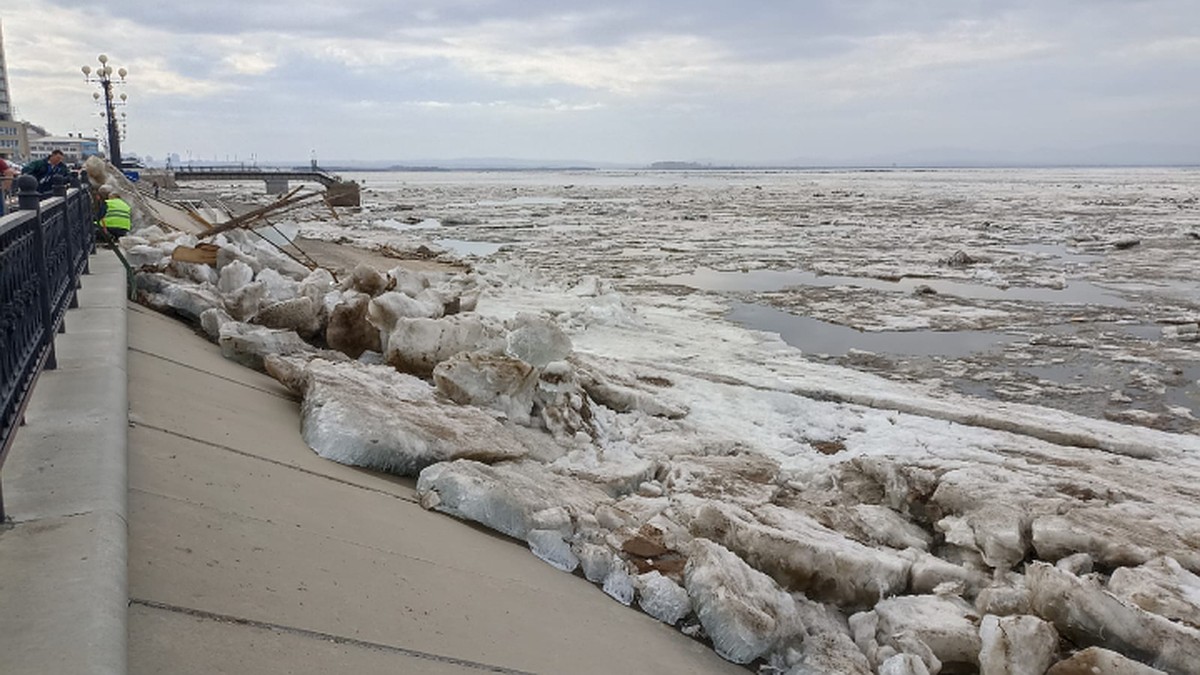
{"type": "Point", "coordinates": [1059, 288]}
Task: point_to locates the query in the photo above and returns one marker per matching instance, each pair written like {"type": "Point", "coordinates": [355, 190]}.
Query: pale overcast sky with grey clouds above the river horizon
{"type": "Point", "coordinates": [625, 81]}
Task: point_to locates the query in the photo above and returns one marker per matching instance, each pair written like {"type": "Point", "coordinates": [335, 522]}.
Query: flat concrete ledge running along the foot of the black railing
{"type": "Point", "coordinates": [63, 576]}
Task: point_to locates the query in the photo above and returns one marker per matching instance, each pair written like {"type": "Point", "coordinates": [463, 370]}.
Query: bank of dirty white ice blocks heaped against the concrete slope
{"type": "Point", "coordinates": [796, 534]}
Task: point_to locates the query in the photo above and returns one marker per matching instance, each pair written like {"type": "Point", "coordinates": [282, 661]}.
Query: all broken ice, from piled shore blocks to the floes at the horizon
{"type": "Point", "coordinates": [872, 517]}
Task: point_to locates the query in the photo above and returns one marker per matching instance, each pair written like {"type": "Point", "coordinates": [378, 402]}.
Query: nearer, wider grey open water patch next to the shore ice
{"type": "Point", "coordinates": [813, 336]}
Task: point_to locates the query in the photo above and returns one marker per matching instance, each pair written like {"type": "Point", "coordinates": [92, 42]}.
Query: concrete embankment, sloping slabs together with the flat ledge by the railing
{"type": "Point", "coordinates": [247, 553]}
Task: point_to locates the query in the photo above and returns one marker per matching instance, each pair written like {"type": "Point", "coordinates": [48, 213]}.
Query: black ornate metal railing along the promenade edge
{"type": "Point", "coordinates": [44, 249]}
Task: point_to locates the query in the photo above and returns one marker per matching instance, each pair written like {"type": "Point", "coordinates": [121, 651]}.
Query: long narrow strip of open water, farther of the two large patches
{"type": "Point", "coordinates": [765, 280]}
